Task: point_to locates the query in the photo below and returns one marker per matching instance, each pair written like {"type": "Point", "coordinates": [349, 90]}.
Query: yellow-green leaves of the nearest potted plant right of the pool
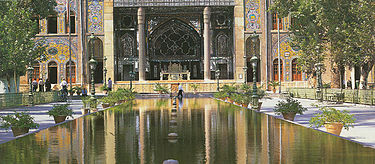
{"type": "Point", "coordinates": [330, 115]}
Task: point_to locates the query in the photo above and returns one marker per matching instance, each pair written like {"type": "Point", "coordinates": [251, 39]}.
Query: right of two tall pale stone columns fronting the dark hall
{"type": "Point", "coordinates": [207, 42]}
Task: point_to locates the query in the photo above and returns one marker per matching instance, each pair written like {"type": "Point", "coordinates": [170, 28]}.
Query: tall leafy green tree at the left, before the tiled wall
{"type": "Point", "coordinates": [18, 27]}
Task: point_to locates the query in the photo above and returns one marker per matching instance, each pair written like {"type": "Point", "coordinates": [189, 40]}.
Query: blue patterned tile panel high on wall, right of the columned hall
{"type": "Point", "coordinates": [252, 13]}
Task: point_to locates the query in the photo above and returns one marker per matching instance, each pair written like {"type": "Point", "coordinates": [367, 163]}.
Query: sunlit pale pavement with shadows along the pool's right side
{"type": "Point", "coordinates": [364, 127]}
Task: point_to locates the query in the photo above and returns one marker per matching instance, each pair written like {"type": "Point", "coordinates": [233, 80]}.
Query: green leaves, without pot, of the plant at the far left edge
{"type": "Point", "coordinates": [18, 119]}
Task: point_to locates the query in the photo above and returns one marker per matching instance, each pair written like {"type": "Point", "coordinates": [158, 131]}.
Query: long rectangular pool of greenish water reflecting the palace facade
{"type": "Point", "coordinates": [205, 131]}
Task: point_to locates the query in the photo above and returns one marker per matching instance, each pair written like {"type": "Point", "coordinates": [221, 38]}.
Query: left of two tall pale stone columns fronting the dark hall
{"type": "Point", "coordinates": [142, 46]}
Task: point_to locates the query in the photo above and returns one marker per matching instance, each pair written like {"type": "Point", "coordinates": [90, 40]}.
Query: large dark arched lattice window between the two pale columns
{"type": "Point", "coordinates": [174, 41]}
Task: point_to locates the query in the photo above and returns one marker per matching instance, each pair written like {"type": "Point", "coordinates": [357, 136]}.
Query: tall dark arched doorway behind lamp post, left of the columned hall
{"type": "Point", "coordinates": [96, 45]}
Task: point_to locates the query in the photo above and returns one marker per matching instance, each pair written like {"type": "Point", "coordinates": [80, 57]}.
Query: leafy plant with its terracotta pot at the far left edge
{"type": "Point", "coordinates": [19, 122]}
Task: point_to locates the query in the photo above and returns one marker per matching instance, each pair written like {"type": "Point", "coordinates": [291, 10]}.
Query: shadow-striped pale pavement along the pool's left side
{"type": "Point", "coordinates": [39, 112]}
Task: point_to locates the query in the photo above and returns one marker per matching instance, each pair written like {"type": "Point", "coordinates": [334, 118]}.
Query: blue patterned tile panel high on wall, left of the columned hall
{"type": "Point", "coordinates": [95, 16]}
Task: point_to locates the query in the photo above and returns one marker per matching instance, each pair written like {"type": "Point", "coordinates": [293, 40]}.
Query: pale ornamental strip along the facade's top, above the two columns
{"type": "Point", "coordinates": [144, 3]}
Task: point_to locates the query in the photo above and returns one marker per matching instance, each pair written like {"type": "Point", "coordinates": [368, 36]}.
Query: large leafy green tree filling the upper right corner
{"type": "Point", "coordinates": [343, 28]}
